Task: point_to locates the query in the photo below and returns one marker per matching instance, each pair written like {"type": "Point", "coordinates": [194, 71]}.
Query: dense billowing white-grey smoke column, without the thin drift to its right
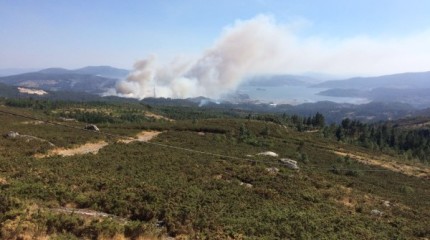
{"type": "Point", "coordinates": [247, 48]}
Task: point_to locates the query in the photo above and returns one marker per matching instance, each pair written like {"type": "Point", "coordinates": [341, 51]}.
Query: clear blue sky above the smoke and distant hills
{"type": "Point", "coordinates": [72, 34]}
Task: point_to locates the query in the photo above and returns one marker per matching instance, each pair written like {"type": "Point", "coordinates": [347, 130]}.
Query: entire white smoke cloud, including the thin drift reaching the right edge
{"type": "Point", "coordinates": [262, 46]}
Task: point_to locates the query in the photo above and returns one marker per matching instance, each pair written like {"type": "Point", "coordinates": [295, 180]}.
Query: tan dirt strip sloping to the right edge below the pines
{"type": "Point", "coordinates": [390, 164]}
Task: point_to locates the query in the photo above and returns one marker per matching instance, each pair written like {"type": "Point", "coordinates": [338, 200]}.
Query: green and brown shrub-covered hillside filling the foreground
{"type": "Point", "coordinates": [200, 178]}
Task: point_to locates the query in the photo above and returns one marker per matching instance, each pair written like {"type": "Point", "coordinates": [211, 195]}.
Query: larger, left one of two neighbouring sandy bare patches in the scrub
{"type": "Point", "coordinates": [83, 149]}
